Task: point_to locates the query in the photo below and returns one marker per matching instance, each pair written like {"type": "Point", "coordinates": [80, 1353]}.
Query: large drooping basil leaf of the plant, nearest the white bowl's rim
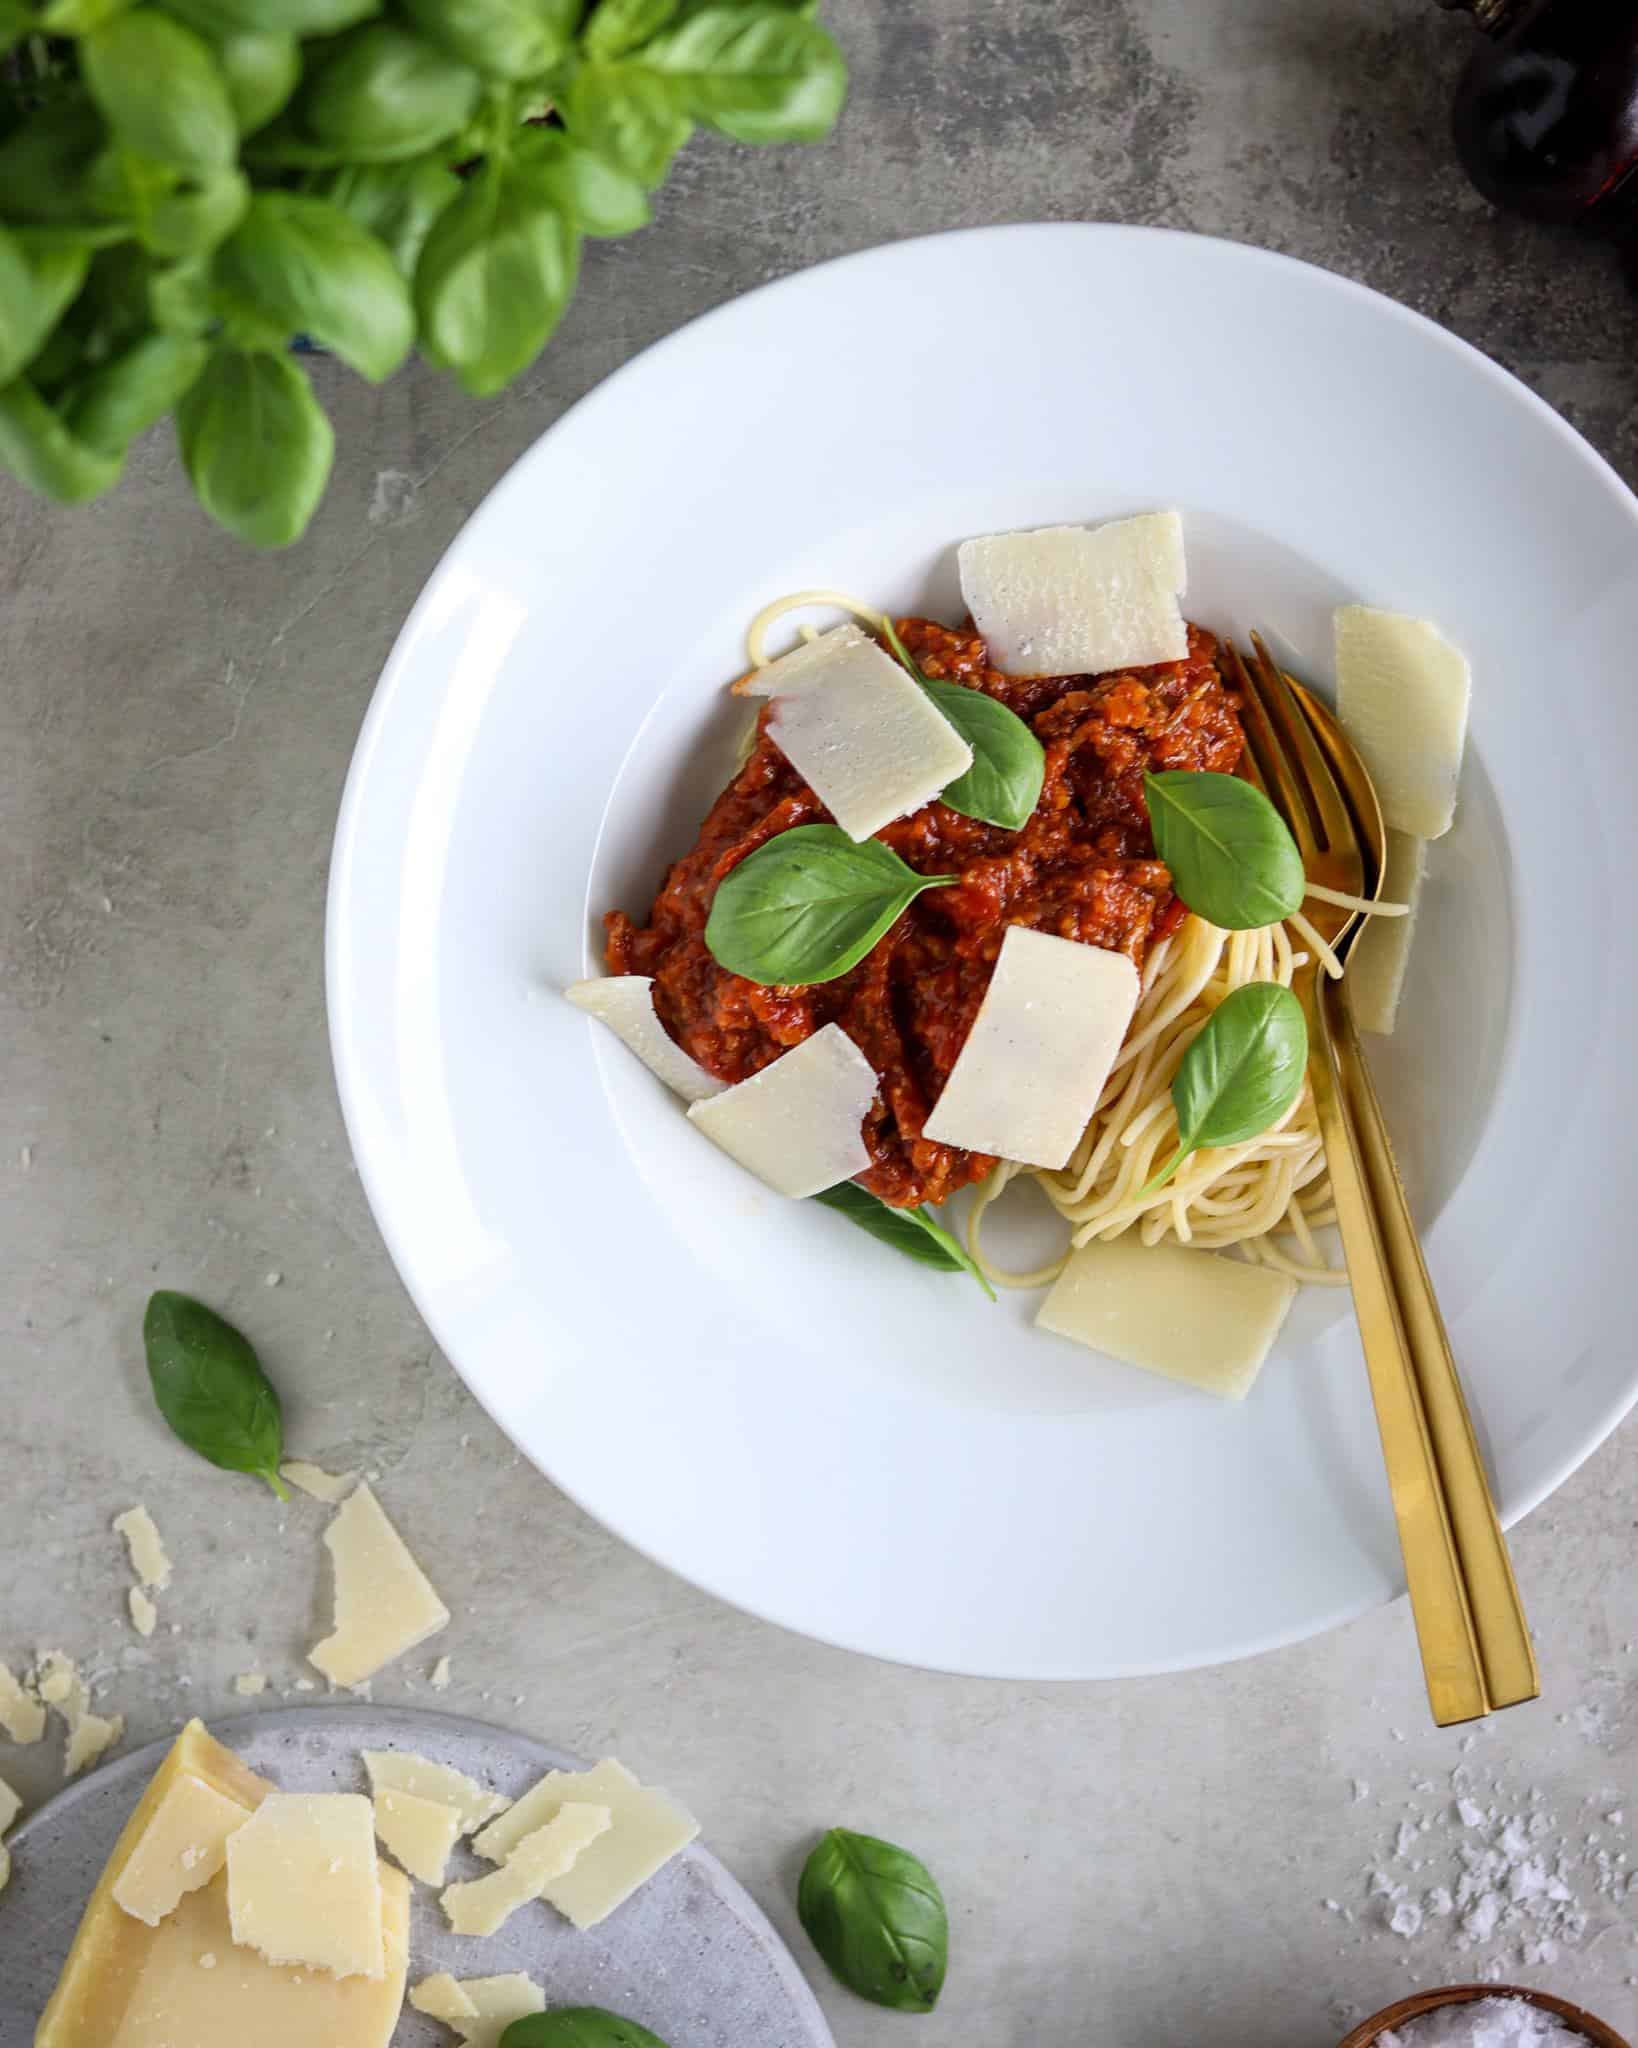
{"type": "Point", "coordinates": [494, 280]}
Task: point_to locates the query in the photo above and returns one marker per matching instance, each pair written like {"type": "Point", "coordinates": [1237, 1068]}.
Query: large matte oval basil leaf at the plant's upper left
{"type": "Point", "coordinates": [161, 91]}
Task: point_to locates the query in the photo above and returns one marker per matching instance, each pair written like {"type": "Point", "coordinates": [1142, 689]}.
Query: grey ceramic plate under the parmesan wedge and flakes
{"type": "Point", "coordinates": [691, 1957]}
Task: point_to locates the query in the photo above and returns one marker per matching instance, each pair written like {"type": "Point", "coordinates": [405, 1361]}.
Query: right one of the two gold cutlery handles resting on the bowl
{"type": "Point", "coordinates": [1498, 1613]}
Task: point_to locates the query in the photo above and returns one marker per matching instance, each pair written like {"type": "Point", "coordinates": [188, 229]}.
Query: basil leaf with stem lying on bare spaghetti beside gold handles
{"type": "Point", "coordinates": [1242, 1074]}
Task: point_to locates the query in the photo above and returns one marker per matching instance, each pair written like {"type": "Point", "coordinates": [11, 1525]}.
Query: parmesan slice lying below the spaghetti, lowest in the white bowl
{"type": "Point", "coordinates": [1189, 1316]}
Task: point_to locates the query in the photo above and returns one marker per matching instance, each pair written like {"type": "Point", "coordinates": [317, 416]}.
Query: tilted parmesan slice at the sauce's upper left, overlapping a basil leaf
{"type": "Point", "coordinates": [859, 730]}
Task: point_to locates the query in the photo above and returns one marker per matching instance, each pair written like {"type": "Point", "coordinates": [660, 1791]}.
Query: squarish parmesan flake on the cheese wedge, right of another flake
{"type": "Point", "coordinates": [304, 1883]}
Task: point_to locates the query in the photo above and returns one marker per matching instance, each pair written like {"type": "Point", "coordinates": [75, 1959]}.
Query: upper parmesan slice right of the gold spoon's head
{"type": "Point", "coordinates": [1404, 701]}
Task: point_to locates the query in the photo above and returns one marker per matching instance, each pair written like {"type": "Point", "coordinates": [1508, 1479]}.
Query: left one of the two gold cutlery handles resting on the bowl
{"type": "Point", "coordinates": [1432, 1566]}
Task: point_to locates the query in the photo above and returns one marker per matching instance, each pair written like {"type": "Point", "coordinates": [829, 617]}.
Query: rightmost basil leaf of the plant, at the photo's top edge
{"type": "Point", "coordinates": [757, 75]}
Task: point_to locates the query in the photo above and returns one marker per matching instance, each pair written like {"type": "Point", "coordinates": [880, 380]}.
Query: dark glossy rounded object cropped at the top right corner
{"type": "Point", "coordinates": [1547, 110]}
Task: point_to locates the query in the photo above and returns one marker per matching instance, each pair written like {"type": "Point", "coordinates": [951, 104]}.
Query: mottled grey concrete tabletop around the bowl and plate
{"type": "Point", "coordinates": [1129, 1865]}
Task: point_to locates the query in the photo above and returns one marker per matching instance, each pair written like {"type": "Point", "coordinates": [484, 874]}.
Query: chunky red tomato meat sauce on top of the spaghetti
{"type": "Point", "coordinates": [1084, 867]}
